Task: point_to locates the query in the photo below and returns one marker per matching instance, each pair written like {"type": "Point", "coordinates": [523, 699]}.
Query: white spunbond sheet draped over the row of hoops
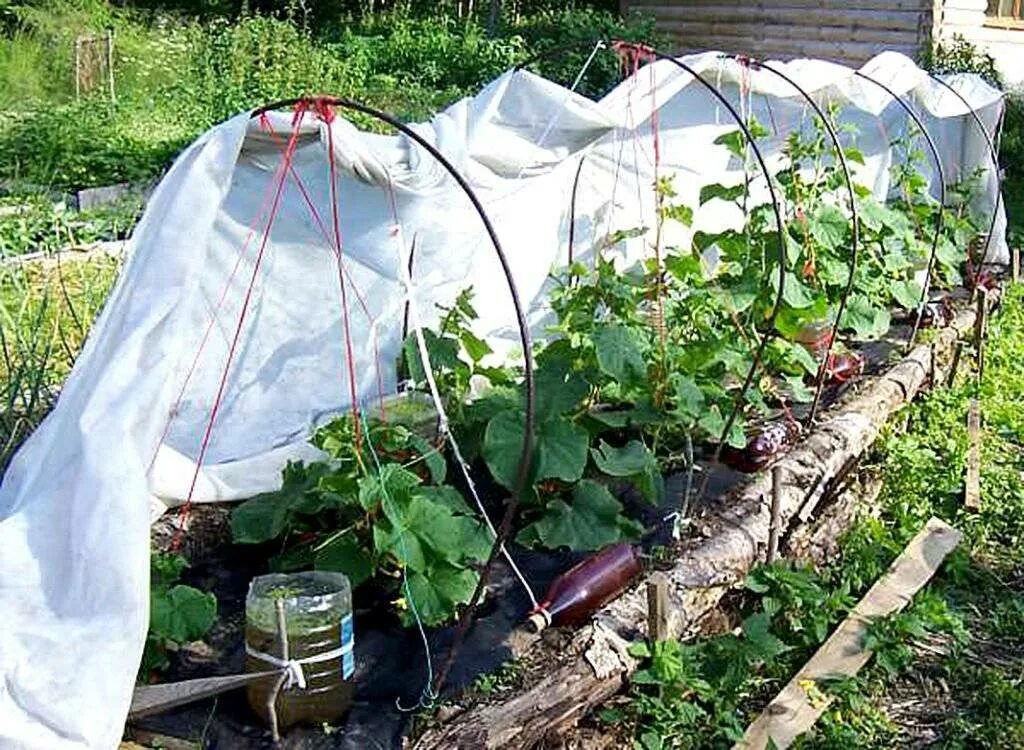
{"type": "Point", "coordinates": [130, 426]}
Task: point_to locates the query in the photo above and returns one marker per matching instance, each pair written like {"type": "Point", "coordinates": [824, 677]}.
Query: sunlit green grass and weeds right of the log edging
{"type": "Point", "coordinates": [950, 671]}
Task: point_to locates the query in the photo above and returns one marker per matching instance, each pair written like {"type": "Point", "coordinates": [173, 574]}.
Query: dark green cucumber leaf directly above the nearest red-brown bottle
{"type": "Point", "coordinates": [593, 520]}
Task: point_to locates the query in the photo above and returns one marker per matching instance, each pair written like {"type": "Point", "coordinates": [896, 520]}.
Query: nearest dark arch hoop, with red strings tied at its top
{"type": "Point", "coordinates": [505, 527]}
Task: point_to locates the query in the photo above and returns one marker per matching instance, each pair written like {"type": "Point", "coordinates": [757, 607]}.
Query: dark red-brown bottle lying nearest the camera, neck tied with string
{"type": "Point", "coordinates": [583, 590]}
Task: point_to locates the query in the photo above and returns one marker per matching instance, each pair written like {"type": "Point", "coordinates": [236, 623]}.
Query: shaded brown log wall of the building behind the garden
{"type": "Point", "coordinates": [845, 31]}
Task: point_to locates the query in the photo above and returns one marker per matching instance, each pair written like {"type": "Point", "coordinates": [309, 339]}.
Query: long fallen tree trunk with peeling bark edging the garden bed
{"type": "Point", "coordinates": [596, 664]}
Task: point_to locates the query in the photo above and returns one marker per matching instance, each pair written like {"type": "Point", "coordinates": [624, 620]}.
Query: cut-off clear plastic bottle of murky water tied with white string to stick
{"type": "Point", "coordinates": [318, 610]}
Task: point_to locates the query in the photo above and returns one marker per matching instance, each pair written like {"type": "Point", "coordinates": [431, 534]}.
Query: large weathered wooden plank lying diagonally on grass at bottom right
{"type": "Point", "coordinates": [794, 712]}
